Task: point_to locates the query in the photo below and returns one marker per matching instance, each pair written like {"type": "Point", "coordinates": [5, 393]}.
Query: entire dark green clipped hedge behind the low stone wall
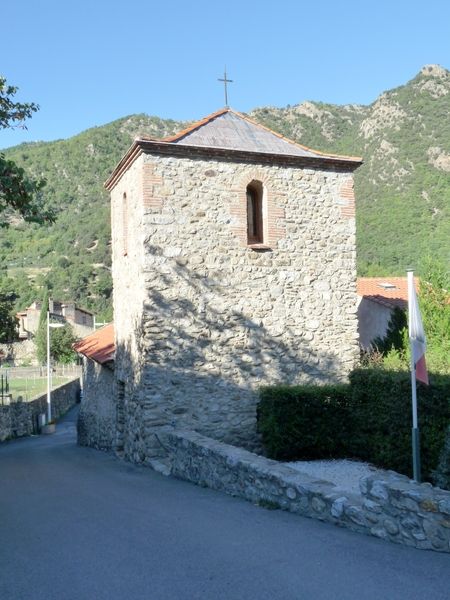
{"type": "Point", "coordinates": [369, 419]}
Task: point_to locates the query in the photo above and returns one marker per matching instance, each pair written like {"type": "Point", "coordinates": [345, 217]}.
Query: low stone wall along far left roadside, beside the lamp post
{"type": "Point", "coordinates": [21, 418]}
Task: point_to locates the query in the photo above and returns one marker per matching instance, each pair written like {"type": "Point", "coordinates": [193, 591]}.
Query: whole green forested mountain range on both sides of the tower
{"type": "Point", "coordinates": [402, 190]}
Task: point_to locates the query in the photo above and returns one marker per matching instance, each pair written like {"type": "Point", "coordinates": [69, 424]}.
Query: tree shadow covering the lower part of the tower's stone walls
{"type": "Point", "coordinates": [198, 364]}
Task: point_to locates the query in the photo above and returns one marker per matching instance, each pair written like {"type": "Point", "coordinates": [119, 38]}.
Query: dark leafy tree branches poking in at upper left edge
{"type": "Point", "coordinates": [18, 193]}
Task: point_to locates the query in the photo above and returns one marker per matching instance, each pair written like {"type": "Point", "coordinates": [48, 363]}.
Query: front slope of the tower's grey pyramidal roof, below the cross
{"type": "Point", "coordinates": [228, 129]}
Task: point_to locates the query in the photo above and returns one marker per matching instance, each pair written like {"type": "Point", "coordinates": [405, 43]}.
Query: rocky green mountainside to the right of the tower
{"type": "Point", "coordinates": [403, 188]}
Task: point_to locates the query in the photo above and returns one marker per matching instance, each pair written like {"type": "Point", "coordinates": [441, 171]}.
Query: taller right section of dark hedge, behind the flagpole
{"type": "Point", "coordinates": [382, 418]}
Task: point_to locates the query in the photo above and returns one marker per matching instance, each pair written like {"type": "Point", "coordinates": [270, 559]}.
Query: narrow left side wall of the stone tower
{"type": "Point", "coordinates": [128, 237]}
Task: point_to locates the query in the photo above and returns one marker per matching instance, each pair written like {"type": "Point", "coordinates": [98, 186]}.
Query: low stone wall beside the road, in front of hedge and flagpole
{"type": "Point", "coordinates": [393, 507]}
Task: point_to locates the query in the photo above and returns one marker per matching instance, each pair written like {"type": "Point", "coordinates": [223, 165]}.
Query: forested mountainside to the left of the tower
{"type": "Point", "coordinates": [72, 257]}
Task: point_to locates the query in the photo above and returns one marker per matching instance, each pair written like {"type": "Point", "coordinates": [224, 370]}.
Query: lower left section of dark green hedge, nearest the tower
{"type": "Point", "coordinates": [304, 422]}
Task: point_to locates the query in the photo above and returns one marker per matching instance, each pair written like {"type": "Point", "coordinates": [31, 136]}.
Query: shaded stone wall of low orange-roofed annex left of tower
{"type": "Point", "coordinates": [97, 416]}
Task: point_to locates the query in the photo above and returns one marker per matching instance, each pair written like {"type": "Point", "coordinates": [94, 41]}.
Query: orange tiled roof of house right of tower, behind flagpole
{"type": "Point", "coordinates": [389, 291]}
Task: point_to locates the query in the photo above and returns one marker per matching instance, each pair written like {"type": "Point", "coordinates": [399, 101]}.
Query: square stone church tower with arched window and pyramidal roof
{"type": "Point", "coordinates": [233, 268]}
